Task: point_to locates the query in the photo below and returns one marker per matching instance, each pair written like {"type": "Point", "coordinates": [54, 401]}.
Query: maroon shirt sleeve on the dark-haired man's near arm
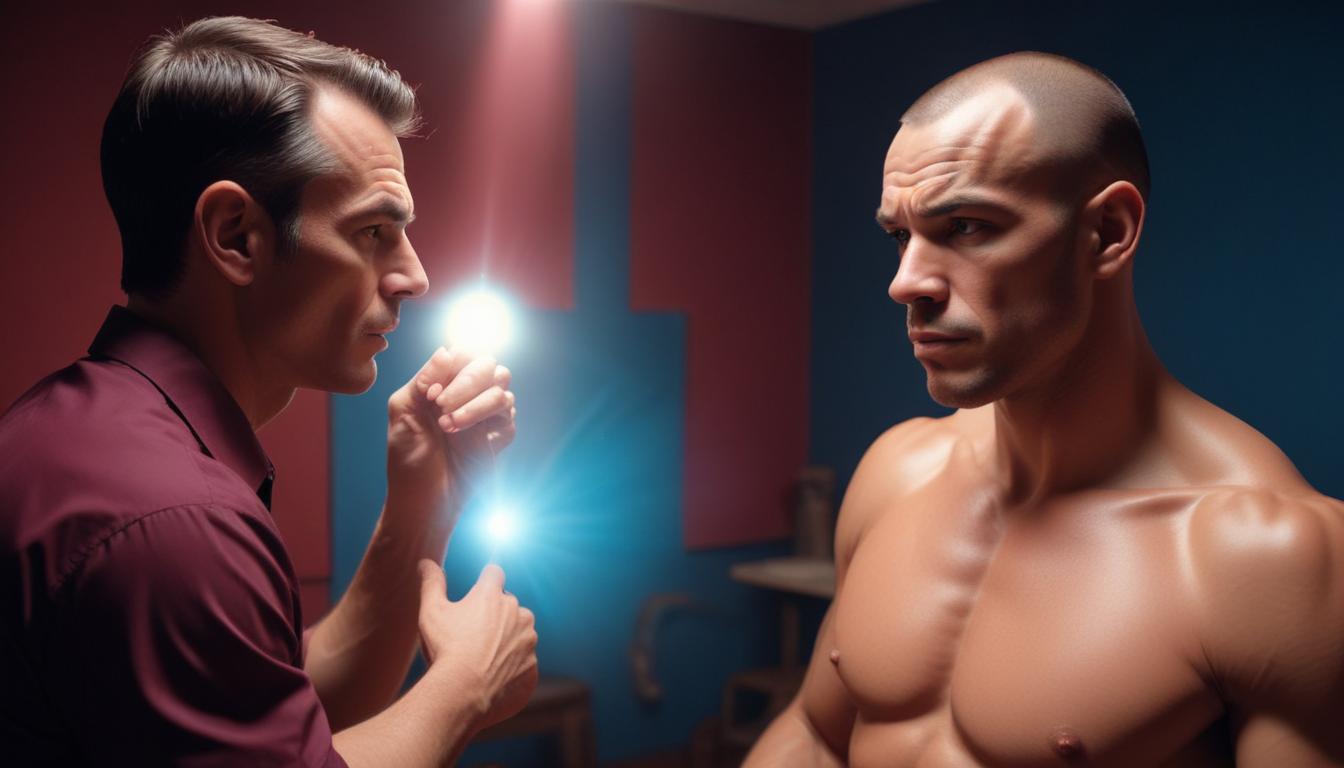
{"type": "Point", "coordinates": [182, 637]}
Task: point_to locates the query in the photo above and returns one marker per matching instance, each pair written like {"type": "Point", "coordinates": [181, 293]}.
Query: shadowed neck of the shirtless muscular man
{"type": "Point", "coordinates": [1087, 424]}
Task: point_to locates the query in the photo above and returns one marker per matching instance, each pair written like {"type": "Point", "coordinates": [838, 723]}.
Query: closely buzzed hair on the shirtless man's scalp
{"type": "Point", "coordinates": [1085, 130]}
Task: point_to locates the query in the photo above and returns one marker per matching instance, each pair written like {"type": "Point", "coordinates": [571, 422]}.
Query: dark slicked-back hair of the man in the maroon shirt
{"type": "Point", "coordinates": [225, 99]}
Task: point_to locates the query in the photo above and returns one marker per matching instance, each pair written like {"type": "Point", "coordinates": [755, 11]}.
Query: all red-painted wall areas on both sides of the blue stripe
{"type": "Point", "coordinates": [720, 213]}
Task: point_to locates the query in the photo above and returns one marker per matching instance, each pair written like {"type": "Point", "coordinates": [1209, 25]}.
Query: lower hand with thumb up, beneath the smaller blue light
{"type": "Point", "coordinates": [486, 642]}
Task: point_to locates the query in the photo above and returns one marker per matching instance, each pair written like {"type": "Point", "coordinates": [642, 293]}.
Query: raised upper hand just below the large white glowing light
{"type": "Point", "coordinates": [446, 426]}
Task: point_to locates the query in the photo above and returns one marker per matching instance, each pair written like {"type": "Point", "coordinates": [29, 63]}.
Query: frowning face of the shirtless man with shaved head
{"type": "Point", "coordinates": [991, 271]}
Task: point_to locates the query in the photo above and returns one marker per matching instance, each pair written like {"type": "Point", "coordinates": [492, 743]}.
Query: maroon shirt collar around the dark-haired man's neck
{"type": "Point", "coordinates": [213, 337]}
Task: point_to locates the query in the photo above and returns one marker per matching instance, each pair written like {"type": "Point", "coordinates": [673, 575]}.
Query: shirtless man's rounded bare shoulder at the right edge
{"type": "Point", "coordinates": [1269, 572]}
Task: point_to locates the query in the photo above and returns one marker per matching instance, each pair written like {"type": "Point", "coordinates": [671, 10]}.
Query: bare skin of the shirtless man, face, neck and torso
{"type": "Point", "coordinates": [1087, 564]}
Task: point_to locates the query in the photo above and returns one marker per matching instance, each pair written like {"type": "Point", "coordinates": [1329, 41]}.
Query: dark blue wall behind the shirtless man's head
{"type": "Point", "coordinates": [1241, 267]}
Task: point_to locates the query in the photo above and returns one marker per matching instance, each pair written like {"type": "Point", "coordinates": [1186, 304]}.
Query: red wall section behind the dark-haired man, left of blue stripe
{"type": "Point", "coordinates": [61, 266]}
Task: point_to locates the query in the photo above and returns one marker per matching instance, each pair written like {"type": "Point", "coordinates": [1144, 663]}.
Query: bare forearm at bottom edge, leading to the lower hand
{"type": "Point", "coordinates": [431, 726]}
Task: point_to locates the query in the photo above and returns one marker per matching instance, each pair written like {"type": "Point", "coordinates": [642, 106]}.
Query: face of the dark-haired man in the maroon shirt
{"type": "Point", "coordinates": [322, 314]}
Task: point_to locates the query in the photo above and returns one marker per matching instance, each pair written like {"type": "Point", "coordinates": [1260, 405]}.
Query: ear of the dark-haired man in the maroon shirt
{"type": "Point", "coordinates": [235, 232]}
